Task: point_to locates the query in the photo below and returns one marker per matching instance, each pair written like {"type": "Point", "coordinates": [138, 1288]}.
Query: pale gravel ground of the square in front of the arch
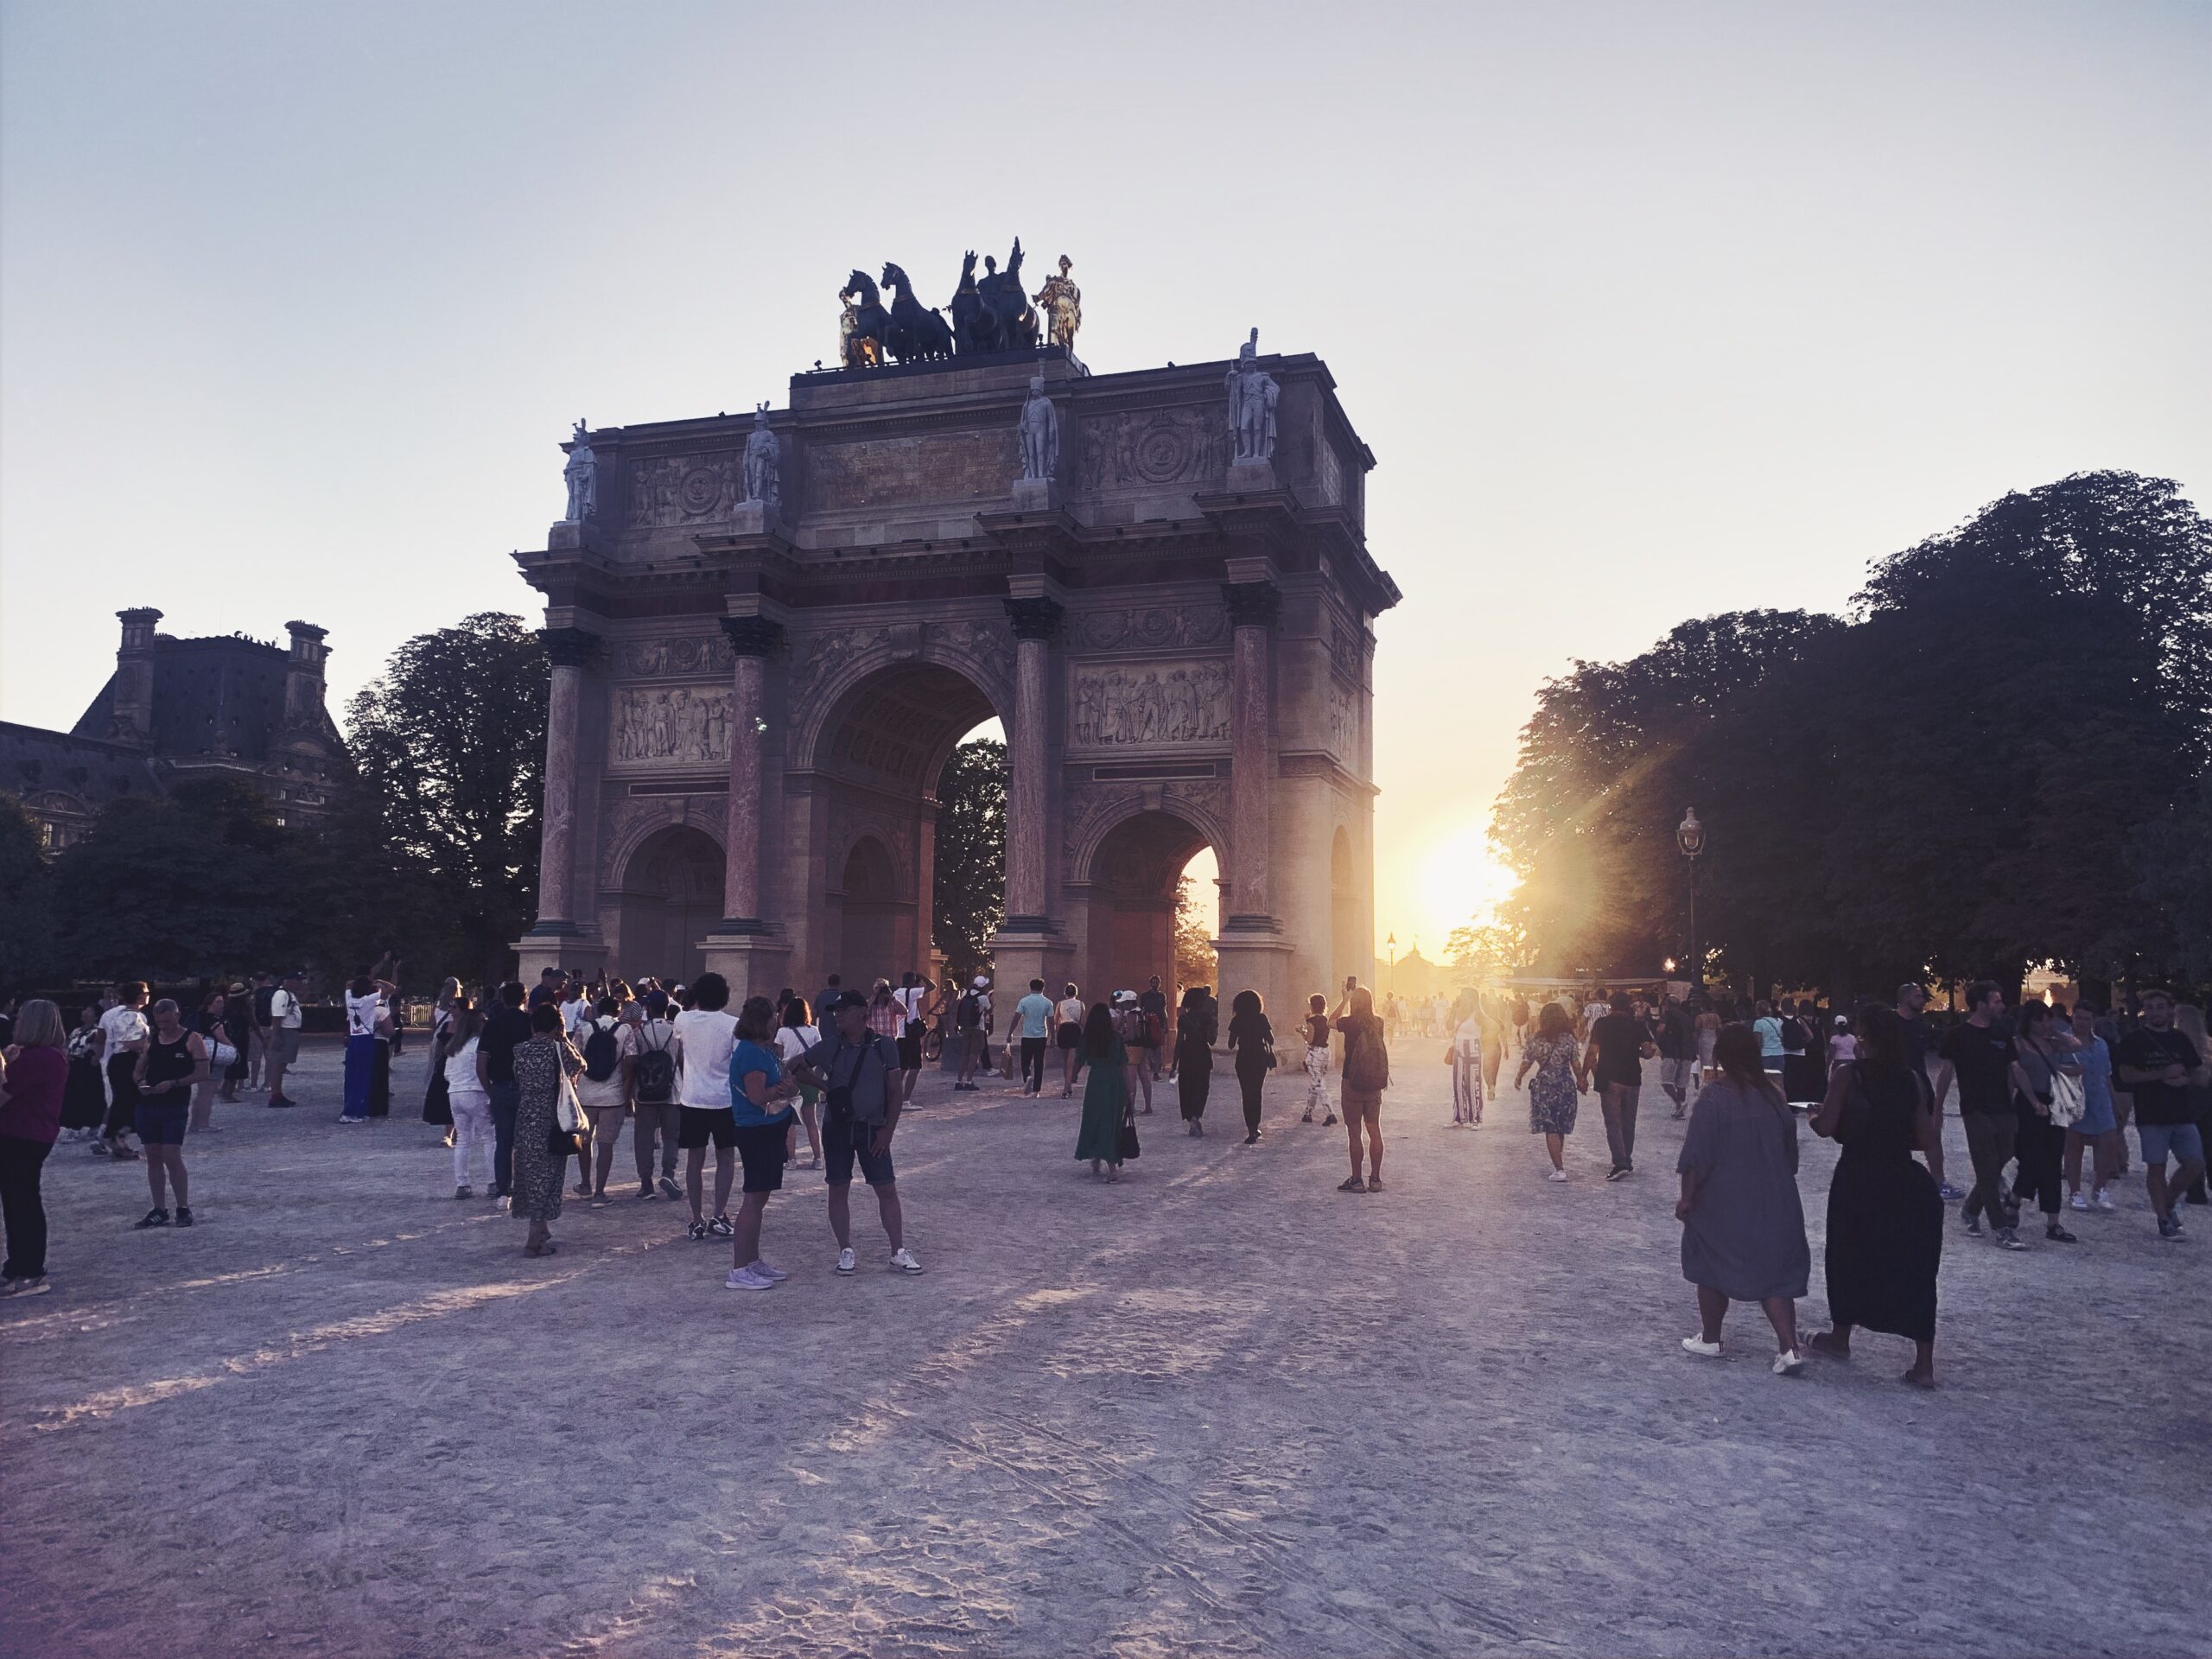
{"type": "Point", "coordinates": [1220, 1408]}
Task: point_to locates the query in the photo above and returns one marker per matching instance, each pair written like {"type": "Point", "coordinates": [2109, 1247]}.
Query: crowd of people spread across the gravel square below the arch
{"type": "Point", "coordinates": [528, 1078]}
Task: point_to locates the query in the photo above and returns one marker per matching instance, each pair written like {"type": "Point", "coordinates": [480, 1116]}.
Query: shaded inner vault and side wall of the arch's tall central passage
{"type": "Point", "coordinates": [877, 758]}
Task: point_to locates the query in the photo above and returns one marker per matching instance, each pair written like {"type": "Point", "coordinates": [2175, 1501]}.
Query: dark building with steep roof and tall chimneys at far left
{"type": "Point", "coordinates": [178, 711]}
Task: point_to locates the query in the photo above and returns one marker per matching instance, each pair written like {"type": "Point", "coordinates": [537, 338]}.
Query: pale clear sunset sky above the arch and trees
{"type": "Point", "coordinates": [1647, 311]}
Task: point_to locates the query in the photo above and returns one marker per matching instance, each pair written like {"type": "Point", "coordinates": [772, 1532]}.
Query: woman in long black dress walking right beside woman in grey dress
{"type": "Point", "coordinates": [1884, 1211]}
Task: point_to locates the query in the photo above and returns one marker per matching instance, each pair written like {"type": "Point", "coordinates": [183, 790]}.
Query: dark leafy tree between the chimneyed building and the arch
{"type": "Point", "coordinates": [450, 747]}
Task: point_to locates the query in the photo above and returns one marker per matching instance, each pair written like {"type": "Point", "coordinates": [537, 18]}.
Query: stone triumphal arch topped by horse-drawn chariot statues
{"type": "Point", "coordinates": [769, 634]}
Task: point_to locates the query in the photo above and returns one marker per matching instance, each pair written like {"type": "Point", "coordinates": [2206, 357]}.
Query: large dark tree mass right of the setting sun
{"type": "Point", "coordinates": [1994, 762]}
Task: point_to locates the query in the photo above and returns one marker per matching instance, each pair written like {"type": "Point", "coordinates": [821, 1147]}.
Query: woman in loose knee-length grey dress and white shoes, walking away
{"type": "Point", "coordinates": [1742, 1222]}
